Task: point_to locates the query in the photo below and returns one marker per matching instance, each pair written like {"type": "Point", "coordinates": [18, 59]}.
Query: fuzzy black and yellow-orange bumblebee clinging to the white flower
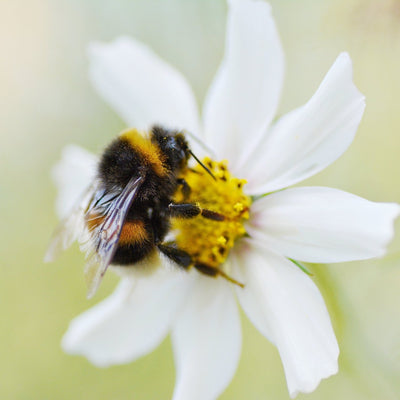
{"type": "Point", "coordinates": [124, 216]}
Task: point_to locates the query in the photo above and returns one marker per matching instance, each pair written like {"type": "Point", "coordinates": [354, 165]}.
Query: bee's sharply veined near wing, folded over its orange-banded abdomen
{"type": "Point", "coordinates": [104, 239]}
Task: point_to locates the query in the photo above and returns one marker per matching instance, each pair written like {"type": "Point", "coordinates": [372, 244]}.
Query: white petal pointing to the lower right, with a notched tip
{"type": "Point", "coordinates": [287, 308]}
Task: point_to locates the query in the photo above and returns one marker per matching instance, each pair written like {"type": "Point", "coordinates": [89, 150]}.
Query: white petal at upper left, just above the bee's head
{"type": "Point", "coordinates": [141, 87]}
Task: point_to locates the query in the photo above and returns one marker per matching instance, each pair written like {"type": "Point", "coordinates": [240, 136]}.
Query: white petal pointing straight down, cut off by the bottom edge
{"type": "Point", "coordinates": [206, 341]}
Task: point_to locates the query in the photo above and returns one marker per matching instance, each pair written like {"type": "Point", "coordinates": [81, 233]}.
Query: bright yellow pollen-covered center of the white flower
{"type": "Point", "coordinates": [206, 240]}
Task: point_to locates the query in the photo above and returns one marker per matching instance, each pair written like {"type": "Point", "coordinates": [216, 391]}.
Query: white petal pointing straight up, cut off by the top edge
{"type": "Point", "coordinates": [244, 96]}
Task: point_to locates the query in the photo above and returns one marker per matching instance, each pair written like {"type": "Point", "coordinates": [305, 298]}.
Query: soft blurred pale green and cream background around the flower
{"type": "Point", "coordinates": [46, 102]}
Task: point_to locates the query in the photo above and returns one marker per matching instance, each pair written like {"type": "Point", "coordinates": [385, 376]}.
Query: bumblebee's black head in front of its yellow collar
{"type": "Point", "coordinates": [173, 145]}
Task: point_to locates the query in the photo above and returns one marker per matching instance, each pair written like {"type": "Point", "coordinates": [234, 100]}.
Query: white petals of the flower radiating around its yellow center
{"type": "Point", "coordinates": [307, 224]}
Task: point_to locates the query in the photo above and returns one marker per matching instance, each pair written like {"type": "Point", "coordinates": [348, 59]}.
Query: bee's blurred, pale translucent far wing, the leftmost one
{"type": "Point", "coordinates": [71, 227]}
